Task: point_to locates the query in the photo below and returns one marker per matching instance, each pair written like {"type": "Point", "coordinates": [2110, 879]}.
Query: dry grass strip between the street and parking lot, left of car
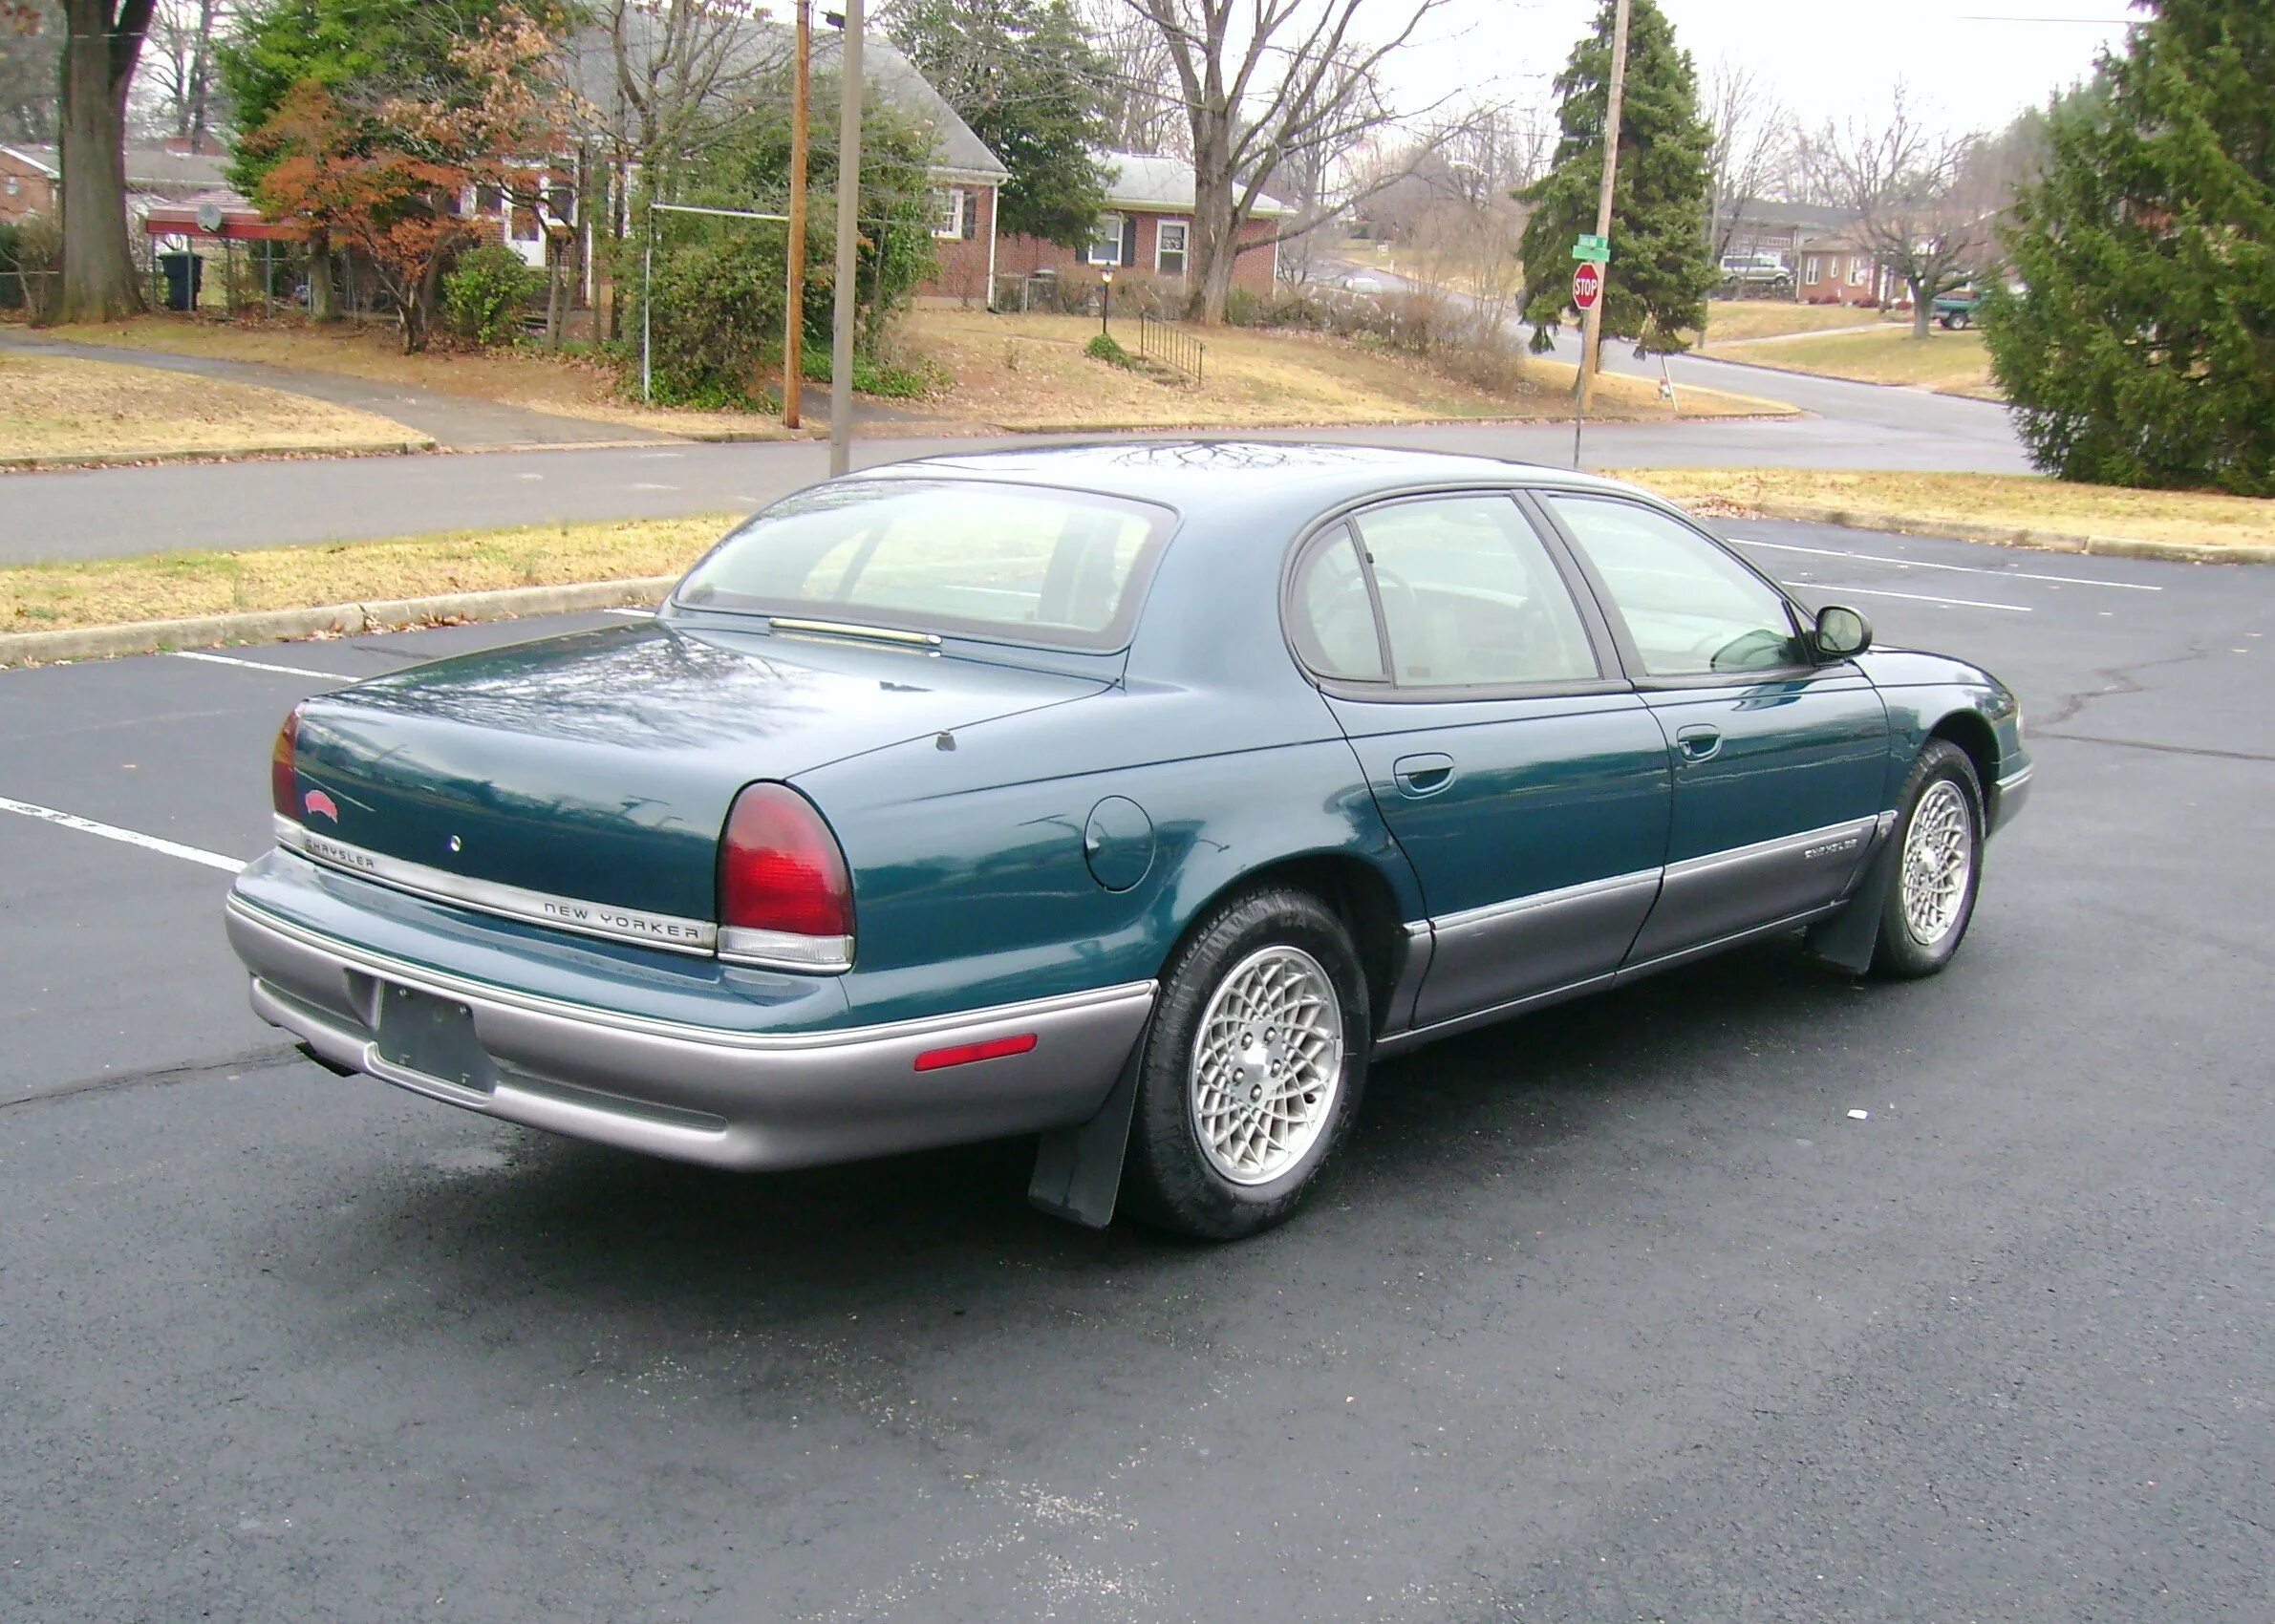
{"type": "Point", "coordinates": [179, 586]}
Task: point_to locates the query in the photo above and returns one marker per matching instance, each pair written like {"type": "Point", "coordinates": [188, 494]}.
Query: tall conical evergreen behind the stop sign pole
{"type": "Point", "coordinates": [1662, 265]}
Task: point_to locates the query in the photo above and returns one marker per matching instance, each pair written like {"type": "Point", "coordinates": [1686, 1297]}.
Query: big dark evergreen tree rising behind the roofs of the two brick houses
{"type": "Point", "coordinates": [1027, 81]}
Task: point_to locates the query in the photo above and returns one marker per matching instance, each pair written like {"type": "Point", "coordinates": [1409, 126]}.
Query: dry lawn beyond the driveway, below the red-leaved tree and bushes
{"type": "Point", "coordinates": [374, 354]}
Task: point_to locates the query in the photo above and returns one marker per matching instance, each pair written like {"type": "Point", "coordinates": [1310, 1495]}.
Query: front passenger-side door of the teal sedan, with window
{"type": "Point", "coordinates": [1780, 761]}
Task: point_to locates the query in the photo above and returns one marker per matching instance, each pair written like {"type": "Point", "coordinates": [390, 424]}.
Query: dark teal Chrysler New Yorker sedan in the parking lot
{"type": "Point", "coordinates": [1136, 795]}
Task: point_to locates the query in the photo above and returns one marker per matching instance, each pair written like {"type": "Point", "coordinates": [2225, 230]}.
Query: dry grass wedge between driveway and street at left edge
{"type": "Point", "coordinates": [63, 408]}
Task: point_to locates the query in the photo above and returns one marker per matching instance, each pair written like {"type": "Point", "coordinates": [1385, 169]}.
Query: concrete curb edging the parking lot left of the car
{"type": "Point", "coordinates": [333, 620]}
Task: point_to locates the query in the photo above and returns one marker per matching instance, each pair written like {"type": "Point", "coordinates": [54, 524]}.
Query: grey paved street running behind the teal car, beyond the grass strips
{"type": "Point", "coordinates": [106, 513]}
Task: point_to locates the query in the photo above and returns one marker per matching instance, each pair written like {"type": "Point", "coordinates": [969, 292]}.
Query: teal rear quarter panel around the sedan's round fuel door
{"type": "Point", "coordinates": [968, 863]}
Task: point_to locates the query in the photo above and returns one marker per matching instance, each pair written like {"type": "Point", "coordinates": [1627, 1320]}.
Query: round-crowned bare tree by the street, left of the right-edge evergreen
{"type": "Point", "coordinates": [1924, 206]}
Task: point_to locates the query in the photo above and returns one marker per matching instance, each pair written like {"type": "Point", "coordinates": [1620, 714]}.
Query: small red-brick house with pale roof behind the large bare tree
{"type": "Point", "coordinates": [1145, 229]}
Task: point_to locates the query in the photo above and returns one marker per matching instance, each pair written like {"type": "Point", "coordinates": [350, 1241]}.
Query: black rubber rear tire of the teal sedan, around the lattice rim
{"type": "Point", "coordinates": [1170, 1182]}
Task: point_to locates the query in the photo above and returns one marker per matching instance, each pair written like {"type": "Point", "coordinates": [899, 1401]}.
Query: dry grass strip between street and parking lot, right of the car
{"type": "Point", "coordinates": [1980, 499]}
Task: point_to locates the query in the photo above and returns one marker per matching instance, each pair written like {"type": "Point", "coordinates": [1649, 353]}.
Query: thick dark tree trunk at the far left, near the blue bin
{"type": "Point", "coordinates": [99, 65]}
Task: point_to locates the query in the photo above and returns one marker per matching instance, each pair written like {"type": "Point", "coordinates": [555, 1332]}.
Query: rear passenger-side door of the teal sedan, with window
{"type": "Point", "coordinates": [1514, 763]}
